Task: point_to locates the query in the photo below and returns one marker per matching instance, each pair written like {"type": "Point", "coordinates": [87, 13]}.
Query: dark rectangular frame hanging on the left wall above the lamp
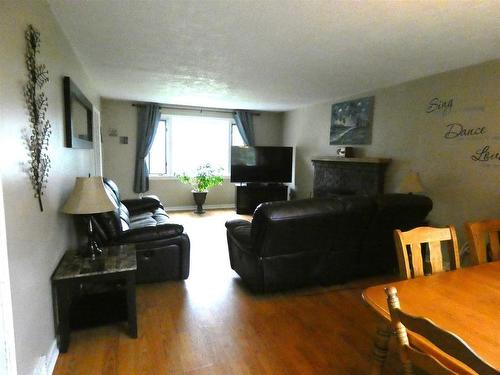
{"type": "Point", "coordinates": [73, 98]}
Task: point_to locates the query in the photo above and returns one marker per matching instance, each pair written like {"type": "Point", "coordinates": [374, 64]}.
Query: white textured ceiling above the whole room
{"type": "Point", "coordinates": [272, 54]}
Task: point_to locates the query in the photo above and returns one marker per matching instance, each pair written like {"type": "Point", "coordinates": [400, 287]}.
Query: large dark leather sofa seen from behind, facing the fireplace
{"type": "Point", "coordinates": [321, 241]}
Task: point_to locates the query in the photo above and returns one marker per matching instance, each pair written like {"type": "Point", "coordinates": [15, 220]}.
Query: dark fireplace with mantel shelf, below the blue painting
{"type": "Point", "coordinates": [336, 175]}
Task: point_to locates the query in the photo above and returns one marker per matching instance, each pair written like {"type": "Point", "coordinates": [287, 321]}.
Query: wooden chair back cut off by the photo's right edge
{"type": "Point", "coordinates": [483, 236]}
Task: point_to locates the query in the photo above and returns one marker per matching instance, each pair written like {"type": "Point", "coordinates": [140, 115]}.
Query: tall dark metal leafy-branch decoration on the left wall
{"type": "Point", "coordinates": [39, 127]}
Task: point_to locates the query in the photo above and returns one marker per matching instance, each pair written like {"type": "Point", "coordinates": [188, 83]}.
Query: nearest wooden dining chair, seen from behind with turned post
{"type": "Point", "coordinates": [443, 340]}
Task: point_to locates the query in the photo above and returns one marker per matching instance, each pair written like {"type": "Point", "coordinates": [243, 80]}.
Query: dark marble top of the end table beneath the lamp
{"type": "Point", "coordinates": [113, 259]}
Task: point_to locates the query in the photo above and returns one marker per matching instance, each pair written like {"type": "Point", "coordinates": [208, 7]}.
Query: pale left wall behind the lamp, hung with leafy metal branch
{"type": "Point", "coordinates": [36, 240]}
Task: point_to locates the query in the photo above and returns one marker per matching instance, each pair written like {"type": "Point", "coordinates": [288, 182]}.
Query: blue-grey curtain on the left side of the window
{"type": "Point", "coordinates": [148, 118]}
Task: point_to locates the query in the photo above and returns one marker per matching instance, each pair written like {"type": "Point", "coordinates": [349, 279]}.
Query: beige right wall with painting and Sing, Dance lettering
{"type": "Point", "coordinates": [462, 189]}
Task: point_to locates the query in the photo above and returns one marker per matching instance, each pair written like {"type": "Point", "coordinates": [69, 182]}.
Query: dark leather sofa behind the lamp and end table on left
{"type": "Point", "coordinates": [162, 246]}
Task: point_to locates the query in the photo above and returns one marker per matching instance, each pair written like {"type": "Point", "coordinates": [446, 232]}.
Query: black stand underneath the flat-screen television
{"type": "Point", "coordinates": [249, 196]}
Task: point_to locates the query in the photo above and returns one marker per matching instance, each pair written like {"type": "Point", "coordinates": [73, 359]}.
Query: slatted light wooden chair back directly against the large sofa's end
{"type": "Point", "coordinates": [411, 244]}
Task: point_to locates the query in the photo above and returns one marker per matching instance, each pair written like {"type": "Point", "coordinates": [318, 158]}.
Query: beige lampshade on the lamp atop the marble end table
{"type": "Point", "coordinates": [88, 197]}
